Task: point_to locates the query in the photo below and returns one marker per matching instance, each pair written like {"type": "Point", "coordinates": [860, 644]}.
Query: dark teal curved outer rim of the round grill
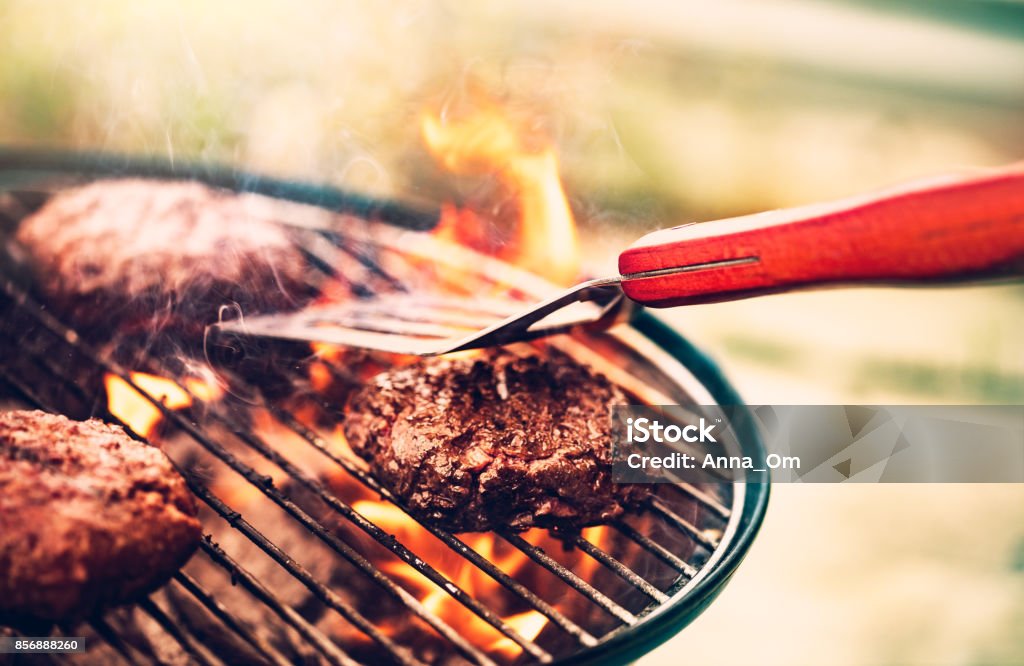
{"type": "Point", "coordinates": [687, 600]}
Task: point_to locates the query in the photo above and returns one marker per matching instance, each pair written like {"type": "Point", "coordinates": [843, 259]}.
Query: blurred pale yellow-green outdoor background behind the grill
{"type": "Point", "coordinates": [662, 113]}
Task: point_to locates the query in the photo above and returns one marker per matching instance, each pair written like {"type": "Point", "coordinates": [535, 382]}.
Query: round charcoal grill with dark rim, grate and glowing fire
{"type": "Point", "coordinates": [603, 601]}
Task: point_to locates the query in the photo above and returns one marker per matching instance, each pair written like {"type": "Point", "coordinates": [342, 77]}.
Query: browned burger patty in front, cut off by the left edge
{"type": "Point", "coordinates": [90, 518]}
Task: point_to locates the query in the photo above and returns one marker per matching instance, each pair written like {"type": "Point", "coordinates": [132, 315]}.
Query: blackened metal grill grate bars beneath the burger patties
{"type": "Point", "coordinates": [58, 342]}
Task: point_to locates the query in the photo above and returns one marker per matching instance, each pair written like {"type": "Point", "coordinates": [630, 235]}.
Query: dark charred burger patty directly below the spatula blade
{"type": "Point", "coordinates": [503, 441]}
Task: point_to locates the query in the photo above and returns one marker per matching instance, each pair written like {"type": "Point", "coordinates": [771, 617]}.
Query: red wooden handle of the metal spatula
{"type": "Point", "coordinates": [955, 228]}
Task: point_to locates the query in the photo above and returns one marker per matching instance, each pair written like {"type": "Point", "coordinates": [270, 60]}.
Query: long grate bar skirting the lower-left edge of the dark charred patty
{"type": "Point", "coordinates": [446, 537]}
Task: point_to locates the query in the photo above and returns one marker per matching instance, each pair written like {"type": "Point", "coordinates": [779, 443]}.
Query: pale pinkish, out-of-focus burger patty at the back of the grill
{"type": "Point", "coordinates": [150, 256]}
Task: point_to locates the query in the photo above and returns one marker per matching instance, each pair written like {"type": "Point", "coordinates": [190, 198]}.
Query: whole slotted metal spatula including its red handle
{"type": "Point", "coordinates": [955, 228]}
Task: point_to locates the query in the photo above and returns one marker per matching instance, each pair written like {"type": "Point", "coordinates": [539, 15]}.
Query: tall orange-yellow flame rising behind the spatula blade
{"type": "Point", "coordinates": [489, 142]}
